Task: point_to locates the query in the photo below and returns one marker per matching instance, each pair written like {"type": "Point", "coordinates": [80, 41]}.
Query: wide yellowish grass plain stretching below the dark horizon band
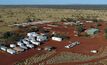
{"type": "Point", "coordinates": [19, 15]}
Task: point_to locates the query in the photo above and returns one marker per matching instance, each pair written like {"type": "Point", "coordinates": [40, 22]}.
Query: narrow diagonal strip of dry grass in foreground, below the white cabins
{"type": "Point", "coordinates": [35, 59]}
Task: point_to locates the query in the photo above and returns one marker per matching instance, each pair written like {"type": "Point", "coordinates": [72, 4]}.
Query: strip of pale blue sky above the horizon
{"type": "Point", "coordinates": [51, 2]}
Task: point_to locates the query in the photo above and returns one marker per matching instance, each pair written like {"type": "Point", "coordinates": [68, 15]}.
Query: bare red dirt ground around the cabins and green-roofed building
{"type": "Point", "coordinates": [86, 44]}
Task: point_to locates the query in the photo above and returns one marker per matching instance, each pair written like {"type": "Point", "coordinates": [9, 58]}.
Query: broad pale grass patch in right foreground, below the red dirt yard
{"type": "Point", "coordinates": [64, 57]}
